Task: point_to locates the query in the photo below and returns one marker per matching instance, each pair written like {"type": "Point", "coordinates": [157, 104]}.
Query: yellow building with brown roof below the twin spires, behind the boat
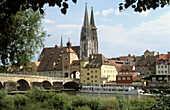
{"type": "Point", "coordinates": [97, 69]}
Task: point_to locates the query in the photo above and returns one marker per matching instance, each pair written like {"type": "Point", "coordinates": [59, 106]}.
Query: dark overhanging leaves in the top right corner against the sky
{"type": "Point", "coordinates": [143, 5]}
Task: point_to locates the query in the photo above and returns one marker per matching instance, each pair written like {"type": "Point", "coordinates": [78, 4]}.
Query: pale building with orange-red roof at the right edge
{"type": "Point", "coordinates": [163, 64]}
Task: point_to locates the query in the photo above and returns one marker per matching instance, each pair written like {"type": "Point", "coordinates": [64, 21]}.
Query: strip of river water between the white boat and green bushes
{"type": "Point", "coordinates": [74, 93]}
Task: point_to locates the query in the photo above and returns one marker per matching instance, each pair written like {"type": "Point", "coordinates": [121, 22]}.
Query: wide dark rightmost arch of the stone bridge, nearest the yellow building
{"type": "Point", "coordinates": [71, 85]}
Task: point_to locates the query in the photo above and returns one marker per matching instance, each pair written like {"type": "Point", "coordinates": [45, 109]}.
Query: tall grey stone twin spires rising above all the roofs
{"type": "Point", "coordinates": [88, 37]}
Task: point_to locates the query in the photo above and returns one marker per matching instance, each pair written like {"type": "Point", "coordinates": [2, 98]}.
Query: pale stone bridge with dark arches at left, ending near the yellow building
{"type": "Point", "coordinates": [14, 82]}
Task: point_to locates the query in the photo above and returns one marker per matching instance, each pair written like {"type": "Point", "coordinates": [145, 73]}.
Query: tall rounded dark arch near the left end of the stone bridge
{"type": "Point", "coordinates": [23, 85]}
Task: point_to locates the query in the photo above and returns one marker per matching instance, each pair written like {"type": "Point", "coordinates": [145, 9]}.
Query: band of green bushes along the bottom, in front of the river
{"type": "Point", "coordinates": [39, 99]}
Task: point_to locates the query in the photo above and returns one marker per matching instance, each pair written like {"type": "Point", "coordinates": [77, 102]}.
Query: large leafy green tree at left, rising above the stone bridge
{"type": "Point", "coordinates": [21, 38]}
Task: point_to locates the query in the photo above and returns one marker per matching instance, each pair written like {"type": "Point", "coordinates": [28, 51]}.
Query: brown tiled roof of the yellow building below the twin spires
{"type": "Point", "coordinates": [97, 60]}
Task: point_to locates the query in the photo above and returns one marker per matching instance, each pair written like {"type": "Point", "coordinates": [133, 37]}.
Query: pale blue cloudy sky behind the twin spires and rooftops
{"type": "Point", "coordinates": [119, 33]}
